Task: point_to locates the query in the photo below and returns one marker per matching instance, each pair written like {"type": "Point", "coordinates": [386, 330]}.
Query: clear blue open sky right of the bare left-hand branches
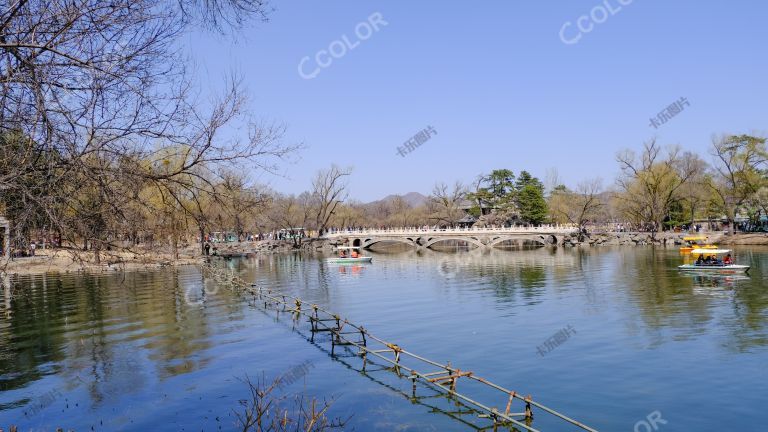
{"type": "Point", "coordinates": [522, 85]}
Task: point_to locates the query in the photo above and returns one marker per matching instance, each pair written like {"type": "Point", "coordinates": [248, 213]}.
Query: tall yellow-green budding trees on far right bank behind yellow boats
{"type": "Point", "coordinates": [666, 186]}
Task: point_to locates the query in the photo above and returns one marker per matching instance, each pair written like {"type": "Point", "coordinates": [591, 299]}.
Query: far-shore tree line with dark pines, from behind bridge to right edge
{"type": "Point", "coordinates": [658, 188]}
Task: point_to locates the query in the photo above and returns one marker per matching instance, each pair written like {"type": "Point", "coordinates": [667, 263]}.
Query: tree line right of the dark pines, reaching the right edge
{"type": "Point", "coordinates": [662, 187]}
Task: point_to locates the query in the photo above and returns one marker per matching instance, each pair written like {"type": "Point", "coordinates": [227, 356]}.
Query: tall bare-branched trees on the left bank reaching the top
{"type": "Point", "coordinates": [102, 135]}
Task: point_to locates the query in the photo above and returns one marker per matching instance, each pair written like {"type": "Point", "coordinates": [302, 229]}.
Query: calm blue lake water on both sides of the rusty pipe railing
{"type": "Point", "coordinates": [152, 351]}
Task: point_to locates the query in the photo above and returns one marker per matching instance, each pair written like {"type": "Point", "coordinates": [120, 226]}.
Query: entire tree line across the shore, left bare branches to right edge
{"type": "Point", "coordinates": [104, 143]}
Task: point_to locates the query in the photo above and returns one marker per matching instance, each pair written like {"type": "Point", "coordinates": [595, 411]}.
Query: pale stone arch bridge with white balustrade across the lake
{"type": "Point", "coordinates": [479, 237]}
